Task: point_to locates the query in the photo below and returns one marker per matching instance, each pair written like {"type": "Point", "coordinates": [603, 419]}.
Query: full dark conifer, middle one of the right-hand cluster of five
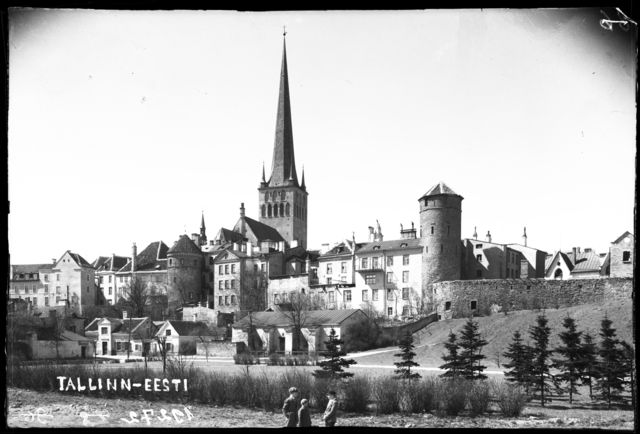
{"type": "Point", "coordinates": [571, 352]}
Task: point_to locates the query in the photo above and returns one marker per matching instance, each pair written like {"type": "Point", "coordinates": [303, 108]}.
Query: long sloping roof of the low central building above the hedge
{"type": "Point", "coordinates": [313, 318]}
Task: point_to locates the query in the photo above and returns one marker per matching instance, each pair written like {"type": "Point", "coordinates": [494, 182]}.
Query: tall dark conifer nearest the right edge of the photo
{"type": "Point", "coordinates": [610, 367]}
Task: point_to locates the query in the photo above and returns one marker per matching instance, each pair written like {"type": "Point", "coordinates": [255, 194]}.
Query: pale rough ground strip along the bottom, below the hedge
{"type": "Point", "coordinates": [34, 409]}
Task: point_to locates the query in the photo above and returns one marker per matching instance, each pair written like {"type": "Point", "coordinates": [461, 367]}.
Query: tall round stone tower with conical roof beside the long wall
{"type": "Point", "coordinates": [440, 230]}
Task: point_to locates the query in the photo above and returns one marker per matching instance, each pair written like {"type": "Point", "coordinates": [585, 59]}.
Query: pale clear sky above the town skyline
{"type": "Point", "coordinates": [124, 126]}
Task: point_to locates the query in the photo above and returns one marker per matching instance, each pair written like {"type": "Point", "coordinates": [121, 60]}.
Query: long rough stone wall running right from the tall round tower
{"type": "Point", "coordinates": [454, 299]}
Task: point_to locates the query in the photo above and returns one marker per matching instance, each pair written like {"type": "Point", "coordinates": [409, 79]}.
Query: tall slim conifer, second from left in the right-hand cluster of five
{"type": "Point", "coordinates": [540, 358]}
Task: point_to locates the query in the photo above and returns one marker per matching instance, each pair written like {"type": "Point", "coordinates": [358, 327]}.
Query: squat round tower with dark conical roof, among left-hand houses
{"type": "Point", "coordinates": [184, 272]}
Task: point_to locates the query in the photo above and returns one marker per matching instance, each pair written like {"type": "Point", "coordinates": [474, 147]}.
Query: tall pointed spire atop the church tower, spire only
{"type": "Point", "coordinates": [283, 167]}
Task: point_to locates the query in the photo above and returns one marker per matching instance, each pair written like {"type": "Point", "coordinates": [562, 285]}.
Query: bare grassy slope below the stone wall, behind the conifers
{"type": "Point", "coordinates": [498, 331]}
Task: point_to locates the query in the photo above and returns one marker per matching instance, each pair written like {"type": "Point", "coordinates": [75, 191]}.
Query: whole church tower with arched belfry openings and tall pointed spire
{"type": "Point", "coordinates": [282, 199]}
